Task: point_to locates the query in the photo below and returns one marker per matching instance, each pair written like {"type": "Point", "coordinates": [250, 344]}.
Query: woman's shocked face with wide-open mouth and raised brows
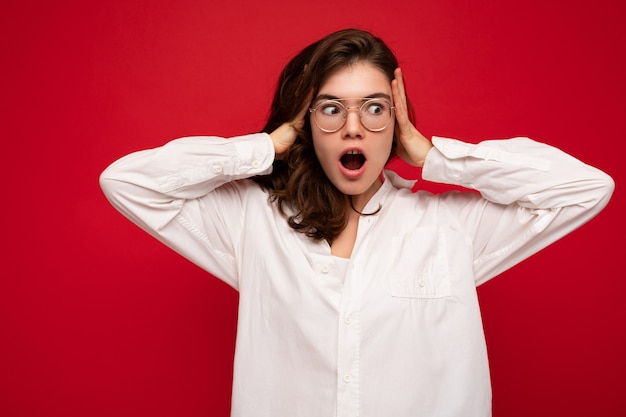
{"type": "Point", "coordinates": [353, 157]}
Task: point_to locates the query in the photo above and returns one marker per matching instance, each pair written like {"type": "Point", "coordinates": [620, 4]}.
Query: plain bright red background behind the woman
{"type": "Point", "coordinates": [98, 319]}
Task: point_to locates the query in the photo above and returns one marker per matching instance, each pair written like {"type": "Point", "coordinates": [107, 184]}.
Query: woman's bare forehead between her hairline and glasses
{"type": "Point", "coordinates": [359, 80]}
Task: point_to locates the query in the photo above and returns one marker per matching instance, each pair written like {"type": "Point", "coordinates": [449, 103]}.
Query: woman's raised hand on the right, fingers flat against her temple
{"type": "Point", "coordinates": [412, 146]}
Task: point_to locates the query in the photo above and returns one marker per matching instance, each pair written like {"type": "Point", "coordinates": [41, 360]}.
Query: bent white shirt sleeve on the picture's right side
{"type": "Point", "coordinates": [532, 195]}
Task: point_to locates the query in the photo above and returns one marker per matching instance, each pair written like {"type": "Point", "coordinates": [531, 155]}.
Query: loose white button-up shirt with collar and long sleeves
{"type": "Point", "coordinates": [400, 334]}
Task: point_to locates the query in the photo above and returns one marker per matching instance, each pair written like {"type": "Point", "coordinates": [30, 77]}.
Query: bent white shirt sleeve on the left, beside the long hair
{"type": "Point", "coordinates": [186, 194]}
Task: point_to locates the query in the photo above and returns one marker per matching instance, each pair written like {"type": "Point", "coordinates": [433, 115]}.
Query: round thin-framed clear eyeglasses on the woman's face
{"type": "Point", "coordinates": [331, 115]}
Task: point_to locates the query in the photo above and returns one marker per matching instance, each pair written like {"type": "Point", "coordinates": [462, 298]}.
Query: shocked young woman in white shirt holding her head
{"type": "Point", "coordinates": [357, 296]}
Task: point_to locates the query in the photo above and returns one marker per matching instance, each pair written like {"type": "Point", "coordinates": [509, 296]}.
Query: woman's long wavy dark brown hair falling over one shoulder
{"type": "Point", "coordinates": [317, 207]}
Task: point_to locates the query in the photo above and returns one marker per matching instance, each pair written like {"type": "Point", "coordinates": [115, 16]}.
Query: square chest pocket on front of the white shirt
{"type": "Point", "coordinates": [421, 265]}
